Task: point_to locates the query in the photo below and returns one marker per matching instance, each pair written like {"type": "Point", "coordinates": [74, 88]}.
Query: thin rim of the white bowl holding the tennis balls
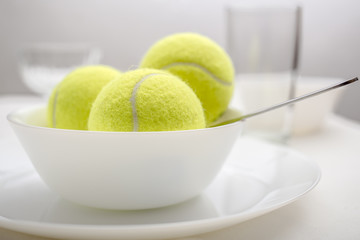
{"type": "Point", "coordinates": [11, 117]}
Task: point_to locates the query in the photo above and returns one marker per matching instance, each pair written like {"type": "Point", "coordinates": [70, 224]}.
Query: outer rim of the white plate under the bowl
{"type": "Point", "coordinates": [158, 230]}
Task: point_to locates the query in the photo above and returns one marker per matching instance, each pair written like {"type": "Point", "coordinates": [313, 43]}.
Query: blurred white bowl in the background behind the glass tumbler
{"type": "Point", "coordinates": [309, 115]}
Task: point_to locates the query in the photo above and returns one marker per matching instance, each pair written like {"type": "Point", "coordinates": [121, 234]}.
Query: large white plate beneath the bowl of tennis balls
{"type": "Point", "coordinates": [257, 178]}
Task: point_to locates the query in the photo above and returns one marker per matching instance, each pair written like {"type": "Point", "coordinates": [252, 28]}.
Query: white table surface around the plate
{"type": "Point", "coordinates": [330, 211]}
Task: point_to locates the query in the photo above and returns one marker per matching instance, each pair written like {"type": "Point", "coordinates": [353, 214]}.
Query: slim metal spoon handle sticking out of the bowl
{"type": "Point", "coordinates": [341, 84]}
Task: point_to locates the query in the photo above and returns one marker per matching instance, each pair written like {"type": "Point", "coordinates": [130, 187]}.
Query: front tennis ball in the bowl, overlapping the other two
{"type": "Point", "coordinates": [146, 100]}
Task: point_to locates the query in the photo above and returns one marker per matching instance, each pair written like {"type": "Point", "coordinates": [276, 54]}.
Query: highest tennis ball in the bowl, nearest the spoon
{"type": "Point", "coordinates": [201, 63]}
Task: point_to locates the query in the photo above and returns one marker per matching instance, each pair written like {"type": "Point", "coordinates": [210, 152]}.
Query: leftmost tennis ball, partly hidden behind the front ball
{"type": "Point", "coordinates": [71, 100]}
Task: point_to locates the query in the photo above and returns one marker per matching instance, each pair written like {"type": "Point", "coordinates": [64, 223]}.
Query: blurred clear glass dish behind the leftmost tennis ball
{"type": "Point", "coordinates": [42, 66]}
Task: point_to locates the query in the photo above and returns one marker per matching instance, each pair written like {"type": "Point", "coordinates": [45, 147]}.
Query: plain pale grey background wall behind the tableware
{"type": "Point", "coordinates": [125, 29]}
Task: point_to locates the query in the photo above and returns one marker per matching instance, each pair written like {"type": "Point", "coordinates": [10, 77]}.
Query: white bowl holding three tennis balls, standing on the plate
{"type": "Point", "coordinates": [123, 170]}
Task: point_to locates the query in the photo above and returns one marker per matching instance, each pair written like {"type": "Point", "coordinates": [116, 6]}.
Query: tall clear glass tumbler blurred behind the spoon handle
{"type": "Point", "coordinates": [263, 41]}
